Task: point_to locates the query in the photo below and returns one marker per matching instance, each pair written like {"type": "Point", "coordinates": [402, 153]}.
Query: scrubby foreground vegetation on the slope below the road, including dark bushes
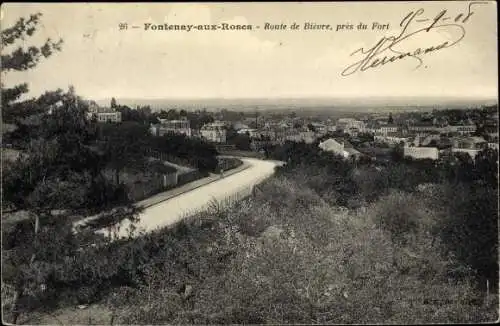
{"type": "Point", "coordinates": [292, 254]}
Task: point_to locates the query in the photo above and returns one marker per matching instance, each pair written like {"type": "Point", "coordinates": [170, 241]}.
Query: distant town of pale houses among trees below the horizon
{"type": "Point", "coordinates": [434, 135]}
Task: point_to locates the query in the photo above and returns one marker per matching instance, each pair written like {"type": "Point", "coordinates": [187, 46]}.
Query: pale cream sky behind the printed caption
{"type": "Point", "coordinates": [102, 61]}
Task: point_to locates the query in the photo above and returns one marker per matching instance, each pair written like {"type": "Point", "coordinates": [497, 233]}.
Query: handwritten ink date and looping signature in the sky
{"type": "Point", "coordinates": [385, 52]}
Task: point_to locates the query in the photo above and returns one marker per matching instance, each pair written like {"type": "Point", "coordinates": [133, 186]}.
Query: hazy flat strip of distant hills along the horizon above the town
{"type": "Point", "coordinates": [366, 104]}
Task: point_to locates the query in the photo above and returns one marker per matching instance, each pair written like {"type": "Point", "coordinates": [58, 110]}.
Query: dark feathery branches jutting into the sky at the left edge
{"type": "Point", "coordinates": [21, 59]}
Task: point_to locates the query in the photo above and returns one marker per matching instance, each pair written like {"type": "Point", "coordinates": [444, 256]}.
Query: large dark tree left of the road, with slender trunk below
{"type": "Point", "coordinates": [57, 172]}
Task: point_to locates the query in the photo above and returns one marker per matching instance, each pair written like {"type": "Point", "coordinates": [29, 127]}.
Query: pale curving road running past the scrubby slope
{"type": "Point", "coordinates": [173, 210]}
